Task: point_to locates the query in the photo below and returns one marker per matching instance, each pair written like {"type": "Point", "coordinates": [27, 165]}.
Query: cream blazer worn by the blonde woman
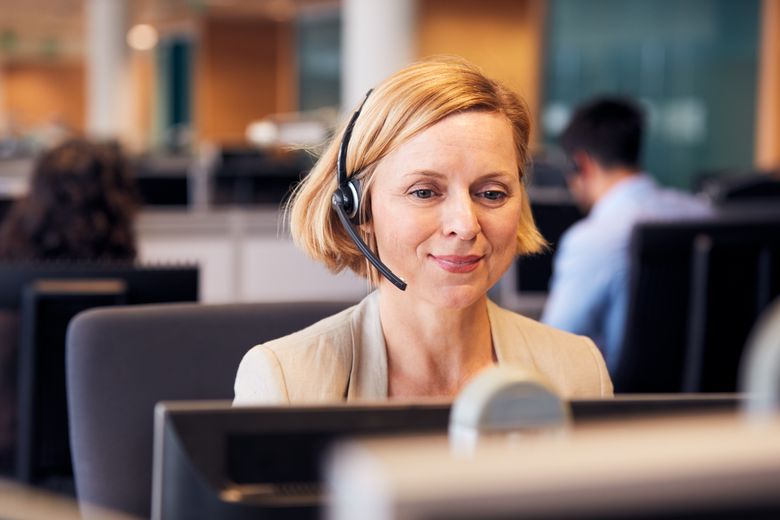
{"type": "Point", "coordinates": [343, 357]}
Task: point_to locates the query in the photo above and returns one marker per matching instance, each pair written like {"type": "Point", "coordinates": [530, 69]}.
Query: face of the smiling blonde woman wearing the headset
{"type": "Point", "coordinates": [446, 206]}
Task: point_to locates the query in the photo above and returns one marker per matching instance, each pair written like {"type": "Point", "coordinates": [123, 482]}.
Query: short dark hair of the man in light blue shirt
{"type": "Point", "coordinates": [609, 129]}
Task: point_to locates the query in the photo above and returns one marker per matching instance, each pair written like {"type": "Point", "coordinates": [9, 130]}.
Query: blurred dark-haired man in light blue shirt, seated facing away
{"type": "Point", "coordinates": [589, 287]}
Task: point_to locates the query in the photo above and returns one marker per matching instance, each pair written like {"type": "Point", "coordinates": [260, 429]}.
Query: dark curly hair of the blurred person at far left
{"type": "Point", "coordinates": [80, 206]}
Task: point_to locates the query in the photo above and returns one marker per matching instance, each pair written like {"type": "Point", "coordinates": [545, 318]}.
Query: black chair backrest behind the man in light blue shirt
{"type": "Point", "coordinates": [695, 290]}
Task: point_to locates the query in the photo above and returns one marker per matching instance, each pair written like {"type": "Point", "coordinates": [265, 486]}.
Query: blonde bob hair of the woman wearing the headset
{"type": "Point", "coordinates": [405, 104]}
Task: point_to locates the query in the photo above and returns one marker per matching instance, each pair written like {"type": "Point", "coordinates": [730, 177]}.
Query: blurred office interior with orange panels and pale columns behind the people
{"type": "Point", "coordinates": [212, 97]}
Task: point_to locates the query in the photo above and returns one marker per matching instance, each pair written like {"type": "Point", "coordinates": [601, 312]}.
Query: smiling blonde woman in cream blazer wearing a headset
{"type": "Point", "coordinates": [438, 152]}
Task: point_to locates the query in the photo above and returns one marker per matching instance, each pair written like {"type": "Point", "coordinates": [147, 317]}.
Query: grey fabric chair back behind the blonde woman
{"type": "Point", "coordinates": [123, 360]}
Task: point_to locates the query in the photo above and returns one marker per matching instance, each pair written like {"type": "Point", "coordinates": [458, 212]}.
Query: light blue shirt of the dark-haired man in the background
{"type": "Point", "coordinates": [589, 287]}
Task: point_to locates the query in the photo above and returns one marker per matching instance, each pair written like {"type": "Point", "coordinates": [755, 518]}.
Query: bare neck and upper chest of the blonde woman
{"type": "Point", "coordinates": [433, 351]}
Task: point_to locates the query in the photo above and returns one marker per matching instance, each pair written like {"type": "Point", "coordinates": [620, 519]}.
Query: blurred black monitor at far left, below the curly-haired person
{"type": "Point", "coordinates": [42, 298]}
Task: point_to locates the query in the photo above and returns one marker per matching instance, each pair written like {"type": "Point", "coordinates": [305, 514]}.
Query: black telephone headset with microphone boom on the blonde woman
{"type": "Point", "coordinates": [346, 202]}
